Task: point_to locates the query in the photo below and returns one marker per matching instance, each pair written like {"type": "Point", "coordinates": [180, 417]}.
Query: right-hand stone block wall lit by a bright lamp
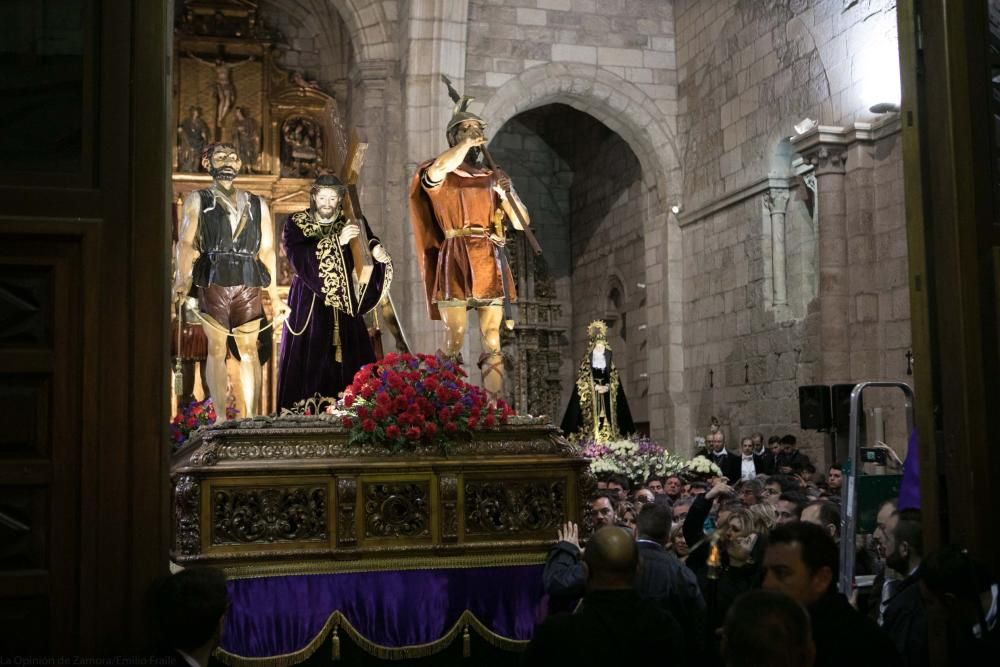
{"type": "Point", "coordinates": [749, 71]}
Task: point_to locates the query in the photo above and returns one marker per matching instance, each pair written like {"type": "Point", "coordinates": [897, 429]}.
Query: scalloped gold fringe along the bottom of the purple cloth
{"type": "Point", "coordinates": [338, 622]}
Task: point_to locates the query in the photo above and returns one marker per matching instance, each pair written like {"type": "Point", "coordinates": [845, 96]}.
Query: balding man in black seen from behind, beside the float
{"type": "Point", "coordinates": [613, 625]}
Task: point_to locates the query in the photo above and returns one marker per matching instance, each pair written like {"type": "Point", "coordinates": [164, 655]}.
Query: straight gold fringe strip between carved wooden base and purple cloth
{"type": "Point", "coordinates": [382, 565]}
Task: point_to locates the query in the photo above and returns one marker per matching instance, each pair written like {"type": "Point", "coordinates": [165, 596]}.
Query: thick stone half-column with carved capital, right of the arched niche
{"type": "Point", "coordinates": [824, 148]}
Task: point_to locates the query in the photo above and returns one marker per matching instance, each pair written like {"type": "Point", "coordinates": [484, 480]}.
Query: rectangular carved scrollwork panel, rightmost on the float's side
{"type": "Point", "coordinates": [514, 506]}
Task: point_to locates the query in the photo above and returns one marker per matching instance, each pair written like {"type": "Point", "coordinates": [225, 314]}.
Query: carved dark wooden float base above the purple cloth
{"type": "Point", "coordinates": [289, 494]}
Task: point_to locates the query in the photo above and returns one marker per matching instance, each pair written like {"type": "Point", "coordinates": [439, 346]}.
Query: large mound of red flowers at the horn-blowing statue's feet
{"type": "Point", "coordinates": [405, 400]}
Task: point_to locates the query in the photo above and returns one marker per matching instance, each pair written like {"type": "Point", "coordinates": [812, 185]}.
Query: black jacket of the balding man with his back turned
{"type": "Point", "coordinates": [611, 628]}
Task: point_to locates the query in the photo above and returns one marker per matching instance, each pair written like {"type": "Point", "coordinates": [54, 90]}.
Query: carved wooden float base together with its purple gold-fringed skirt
{"type": "Point", "coordinates": [313, 530]}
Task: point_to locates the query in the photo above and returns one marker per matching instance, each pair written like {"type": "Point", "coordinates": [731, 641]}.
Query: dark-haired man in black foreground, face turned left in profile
{"type": "Point", "coordinates": [802, 562]}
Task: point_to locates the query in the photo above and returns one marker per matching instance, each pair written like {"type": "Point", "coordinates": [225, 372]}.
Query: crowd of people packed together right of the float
{"type": "Point", "coordinates": [742, 569]}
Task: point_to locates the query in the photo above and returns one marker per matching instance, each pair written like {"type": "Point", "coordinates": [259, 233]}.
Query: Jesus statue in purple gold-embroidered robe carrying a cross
{"type": "Point", "coordinates": [325, 340]}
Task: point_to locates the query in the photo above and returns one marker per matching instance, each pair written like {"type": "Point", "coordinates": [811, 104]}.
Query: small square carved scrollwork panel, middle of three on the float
{"type": "Point", "coordinates": [397, 509]}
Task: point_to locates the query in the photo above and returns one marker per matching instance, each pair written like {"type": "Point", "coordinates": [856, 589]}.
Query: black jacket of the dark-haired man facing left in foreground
{"type": "Point", "coordinates": [844, 637]}
